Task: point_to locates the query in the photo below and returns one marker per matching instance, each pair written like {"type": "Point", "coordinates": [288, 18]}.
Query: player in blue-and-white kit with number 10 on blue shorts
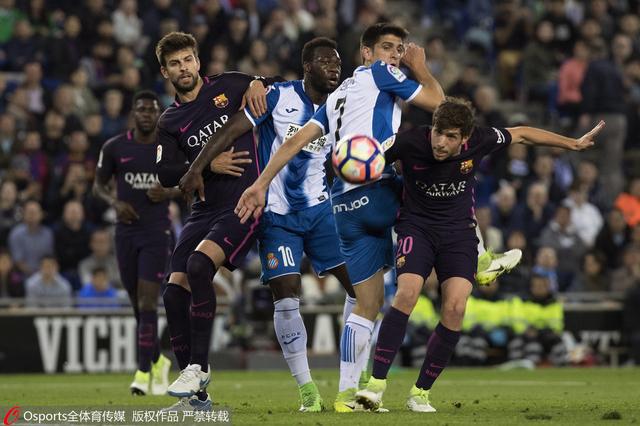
{"type": "Point", "coordinates": [298, 212]}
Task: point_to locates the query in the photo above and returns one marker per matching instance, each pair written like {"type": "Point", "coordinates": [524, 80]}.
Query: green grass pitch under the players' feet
{"type": "Point", "coordinates": [569, 396]}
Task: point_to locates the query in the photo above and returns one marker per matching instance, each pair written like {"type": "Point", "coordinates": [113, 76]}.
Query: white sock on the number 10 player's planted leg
{"type": "Point", "coordinates": [292, 336]}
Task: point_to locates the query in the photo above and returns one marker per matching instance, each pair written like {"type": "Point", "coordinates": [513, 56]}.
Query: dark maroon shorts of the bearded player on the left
{"type": "Point", "coordinates": [221, 227]}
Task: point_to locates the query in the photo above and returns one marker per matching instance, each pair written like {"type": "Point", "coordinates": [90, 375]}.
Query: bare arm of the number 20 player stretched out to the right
{"type": "Point", "coordinates": [535, 136]}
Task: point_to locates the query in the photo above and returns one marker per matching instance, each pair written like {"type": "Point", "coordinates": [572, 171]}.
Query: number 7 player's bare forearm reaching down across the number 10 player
{"type": "Point", "coordinates": [253, 198]}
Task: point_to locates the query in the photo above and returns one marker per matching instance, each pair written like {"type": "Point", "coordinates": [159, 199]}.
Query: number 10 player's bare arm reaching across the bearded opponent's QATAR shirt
{"type": "Point", "coordinates": [192, 180]}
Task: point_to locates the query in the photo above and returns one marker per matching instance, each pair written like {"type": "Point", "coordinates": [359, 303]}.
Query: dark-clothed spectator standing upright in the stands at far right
{"type": "Point", "coordinates": [602, 93]}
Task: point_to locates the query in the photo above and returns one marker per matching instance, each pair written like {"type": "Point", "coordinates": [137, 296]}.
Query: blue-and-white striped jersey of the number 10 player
{"type": "Point", "coordinates": [302, 182]}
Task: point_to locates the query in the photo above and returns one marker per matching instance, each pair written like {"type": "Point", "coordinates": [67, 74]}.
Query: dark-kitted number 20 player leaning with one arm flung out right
{"type": "Point", "coordinates": [436, 229]}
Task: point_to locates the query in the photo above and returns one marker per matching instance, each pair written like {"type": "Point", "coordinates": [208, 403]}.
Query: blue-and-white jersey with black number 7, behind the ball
{"type": "Point", "coordinates": [368, 103]}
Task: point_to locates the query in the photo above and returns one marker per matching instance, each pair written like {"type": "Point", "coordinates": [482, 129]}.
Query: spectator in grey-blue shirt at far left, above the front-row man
{"type": "Point", "coordinates": [30, 241]}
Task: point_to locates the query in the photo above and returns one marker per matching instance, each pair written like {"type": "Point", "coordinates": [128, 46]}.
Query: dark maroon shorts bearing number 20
{"type": "Point", "coordinates": [451, 253]}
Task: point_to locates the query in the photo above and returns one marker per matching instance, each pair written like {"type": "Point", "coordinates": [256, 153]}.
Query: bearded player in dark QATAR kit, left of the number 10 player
{"type": "Point", "coordinates": [212, 236]}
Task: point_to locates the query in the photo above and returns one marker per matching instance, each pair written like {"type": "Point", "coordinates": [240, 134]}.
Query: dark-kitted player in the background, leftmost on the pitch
{"type": "Point", "coordinates": [142, 233]}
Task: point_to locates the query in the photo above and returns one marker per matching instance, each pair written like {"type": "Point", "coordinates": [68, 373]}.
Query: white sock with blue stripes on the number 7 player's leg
{"type": "Point", "coordinates": [354, 350]}
